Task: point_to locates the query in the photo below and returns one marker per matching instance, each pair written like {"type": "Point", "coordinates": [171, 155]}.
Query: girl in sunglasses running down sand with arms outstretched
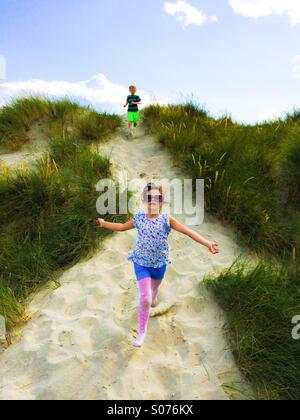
{"type": "Point", "coordinates": [151, 253]}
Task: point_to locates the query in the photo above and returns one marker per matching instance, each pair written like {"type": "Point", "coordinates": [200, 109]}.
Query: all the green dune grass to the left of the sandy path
{"type": "Point", "coordinates": [47, 213]}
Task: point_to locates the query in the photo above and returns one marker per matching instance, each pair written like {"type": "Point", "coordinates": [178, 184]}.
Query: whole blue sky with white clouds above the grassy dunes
{"type": "Point", "coordinates": [236, 56]}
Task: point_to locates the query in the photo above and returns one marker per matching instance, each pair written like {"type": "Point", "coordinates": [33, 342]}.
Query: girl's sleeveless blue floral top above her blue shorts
{"type": "Point", "coordinates": [152, 248]}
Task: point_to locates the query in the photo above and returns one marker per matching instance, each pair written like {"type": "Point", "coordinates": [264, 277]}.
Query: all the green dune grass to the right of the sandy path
{"type": "Point", "coordinates": [251, 178]}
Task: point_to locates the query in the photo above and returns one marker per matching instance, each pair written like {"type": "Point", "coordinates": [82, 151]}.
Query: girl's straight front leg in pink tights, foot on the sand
{"type": "Point", "coordinates": [144, 309]}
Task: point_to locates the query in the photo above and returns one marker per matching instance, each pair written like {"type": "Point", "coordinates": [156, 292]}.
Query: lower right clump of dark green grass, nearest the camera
{"type": "Point", "coordinates": [260, 303]}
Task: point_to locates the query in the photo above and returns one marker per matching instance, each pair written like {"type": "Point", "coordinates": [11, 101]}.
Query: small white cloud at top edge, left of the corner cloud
{"type": "Point", "coordinates": [187, 14]}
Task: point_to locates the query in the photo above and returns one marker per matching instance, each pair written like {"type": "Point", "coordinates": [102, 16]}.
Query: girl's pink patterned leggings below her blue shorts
{"type": "Point", "coordinates": [148, 294]}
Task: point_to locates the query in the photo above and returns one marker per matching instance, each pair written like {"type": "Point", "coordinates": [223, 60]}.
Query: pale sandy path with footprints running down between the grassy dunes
{"type": "Point", "coordinates": [78, 344]}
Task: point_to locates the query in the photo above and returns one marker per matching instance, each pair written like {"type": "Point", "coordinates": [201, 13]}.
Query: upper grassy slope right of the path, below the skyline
{"type": "Point", "coordinates": [251, 172]}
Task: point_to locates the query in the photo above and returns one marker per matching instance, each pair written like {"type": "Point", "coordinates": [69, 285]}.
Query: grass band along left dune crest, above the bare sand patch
{"type": "Point", "coordinates": [18, 118]}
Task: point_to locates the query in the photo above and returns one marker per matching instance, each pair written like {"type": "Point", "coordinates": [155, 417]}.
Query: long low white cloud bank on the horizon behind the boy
{"type": "Point", "coordinates": [98, 91]}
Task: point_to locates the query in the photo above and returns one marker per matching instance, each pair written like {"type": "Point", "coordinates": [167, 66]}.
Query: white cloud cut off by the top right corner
{"type": "Point", "coordinates": [259, 8]}
